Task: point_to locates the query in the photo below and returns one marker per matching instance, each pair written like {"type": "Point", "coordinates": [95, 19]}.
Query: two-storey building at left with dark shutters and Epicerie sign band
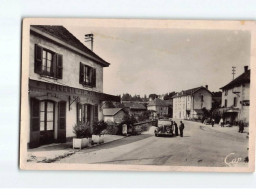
{"type": "Point", "coordinates": [65, 85]}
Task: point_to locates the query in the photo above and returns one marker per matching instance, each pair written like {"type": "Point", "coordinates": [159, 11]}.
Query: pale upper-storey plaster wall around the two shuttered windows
{"type": "Point", "coordinates": [71, 65]}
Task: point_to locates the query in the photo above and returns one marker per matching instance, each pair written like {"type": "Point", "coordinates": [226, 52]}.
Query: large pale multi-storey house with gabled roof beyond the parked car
{"type": "Point", "coordinates": [189, 104]}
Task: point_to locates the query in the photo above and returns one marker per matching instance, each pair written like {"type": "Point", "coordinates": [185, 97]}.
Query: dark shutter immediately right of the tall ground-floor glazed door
{"type": "Point", "coordinates": [61, 133]}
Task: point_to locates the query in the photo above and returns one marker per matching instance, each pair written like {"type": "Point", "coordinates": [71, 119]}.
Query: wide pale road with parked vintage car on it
{"type": "Point", "coordinates": [200, 146]}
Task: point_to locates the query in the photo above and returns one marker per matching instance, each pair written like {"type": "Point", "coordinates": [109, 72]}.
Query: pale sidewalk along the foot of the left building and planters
{"type": "Point", "coordinates": [52, 152]}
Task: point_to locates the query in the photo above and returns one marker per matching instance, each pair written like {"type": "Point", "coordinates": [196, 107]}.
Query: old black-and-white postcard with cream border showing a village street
{"type": "Point", "coordinates": [138, 95]}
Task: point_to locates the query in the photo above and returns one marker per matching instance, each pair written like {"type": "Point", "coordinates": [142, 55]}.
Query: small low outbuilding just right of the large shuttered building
{"type": "Point", "coordinates": [113, 114]}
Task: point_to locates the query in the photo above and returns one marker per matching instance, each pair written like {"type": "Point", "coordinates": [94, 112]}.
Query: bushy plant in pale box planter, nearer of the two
{"type": "Point", "coordinates": [82, 132]}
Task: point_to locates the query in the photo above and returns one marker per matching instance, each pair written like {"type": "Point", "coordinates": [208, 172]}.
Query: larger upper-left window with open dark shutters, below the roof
{"type": "Point", "coordinates": [48, 63]}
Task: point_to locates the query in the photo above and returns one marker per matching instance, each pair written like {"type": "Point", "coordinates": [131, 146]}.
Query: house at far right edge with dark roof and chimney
{"type": "Point", "coordinates": [236, 99]}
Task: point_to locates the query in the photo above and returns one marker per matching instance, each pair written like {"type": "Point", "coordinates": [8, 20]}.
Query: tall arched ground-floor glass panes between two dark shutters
{"type": "Point", "coordinates": [46, 116]}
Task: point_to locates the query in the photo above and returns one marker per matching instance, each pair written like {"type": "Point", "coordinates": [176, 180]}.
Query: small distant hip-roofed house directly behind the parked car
{"type": "Point", "coordinates": [158, 106]}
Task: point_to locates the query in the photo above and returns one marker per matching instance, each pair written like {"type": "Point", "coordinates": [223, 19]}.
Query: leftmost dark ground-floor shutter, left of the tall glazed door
{"type": "Point", "coordinates": [34, 123]}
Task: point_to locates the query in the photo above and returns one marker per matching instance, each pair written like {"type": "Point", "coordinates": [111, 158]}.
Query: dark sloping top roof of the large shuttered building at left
{"type": "Point", "coordinates": [64, 35]}
